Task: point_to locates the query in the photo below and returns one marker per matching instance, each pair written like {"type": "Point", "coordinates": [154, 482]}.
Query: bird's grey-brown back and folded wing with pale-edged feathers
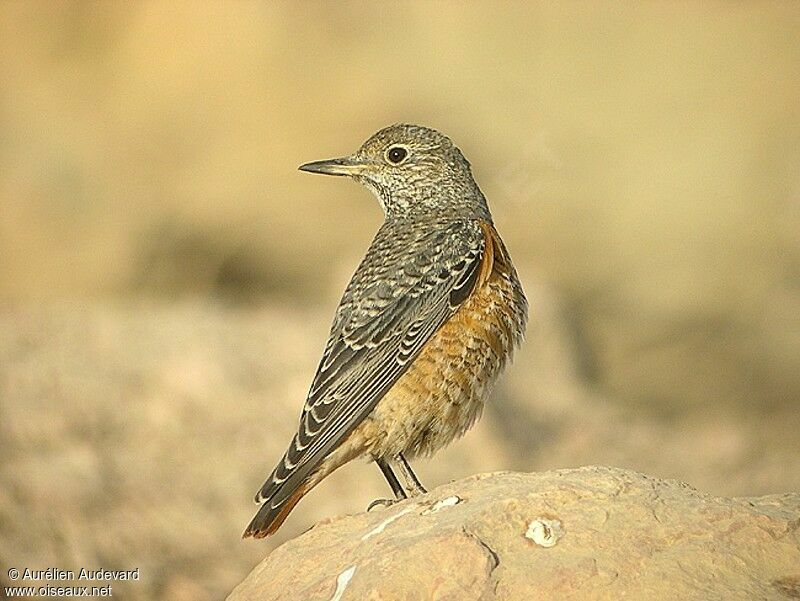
{"type": "Point", "coordinates": [406, 287]}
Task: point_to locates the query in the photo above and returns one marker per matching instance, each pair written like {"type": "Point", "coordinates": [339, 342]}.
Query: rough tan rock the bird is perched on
{"type": "Point", "coordinates": [588, 533]}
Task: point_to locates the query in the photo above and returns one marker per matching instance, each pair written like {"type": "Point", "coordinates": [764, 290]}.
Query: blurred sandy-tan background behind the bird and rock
{"type": "Point", "coordinates": [167, 276]}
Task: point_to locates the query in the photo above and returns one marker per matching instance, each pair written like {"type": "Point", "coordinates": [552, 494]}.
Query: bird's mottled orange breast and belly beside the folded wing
{"type": "Point", "coordinates": [442, 393]}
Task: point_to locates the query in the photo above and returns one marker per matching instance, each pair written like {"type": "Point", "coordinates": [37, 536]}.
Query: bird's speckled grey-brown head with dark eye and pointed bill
{"type": "Point", "coordinates": [413, 171]}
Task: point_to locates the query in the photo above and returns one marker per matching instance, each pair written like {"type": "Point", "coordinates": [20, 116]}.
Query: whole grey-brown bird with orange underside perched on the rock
{"type": "Point", "coordinates": [429, 319]}
